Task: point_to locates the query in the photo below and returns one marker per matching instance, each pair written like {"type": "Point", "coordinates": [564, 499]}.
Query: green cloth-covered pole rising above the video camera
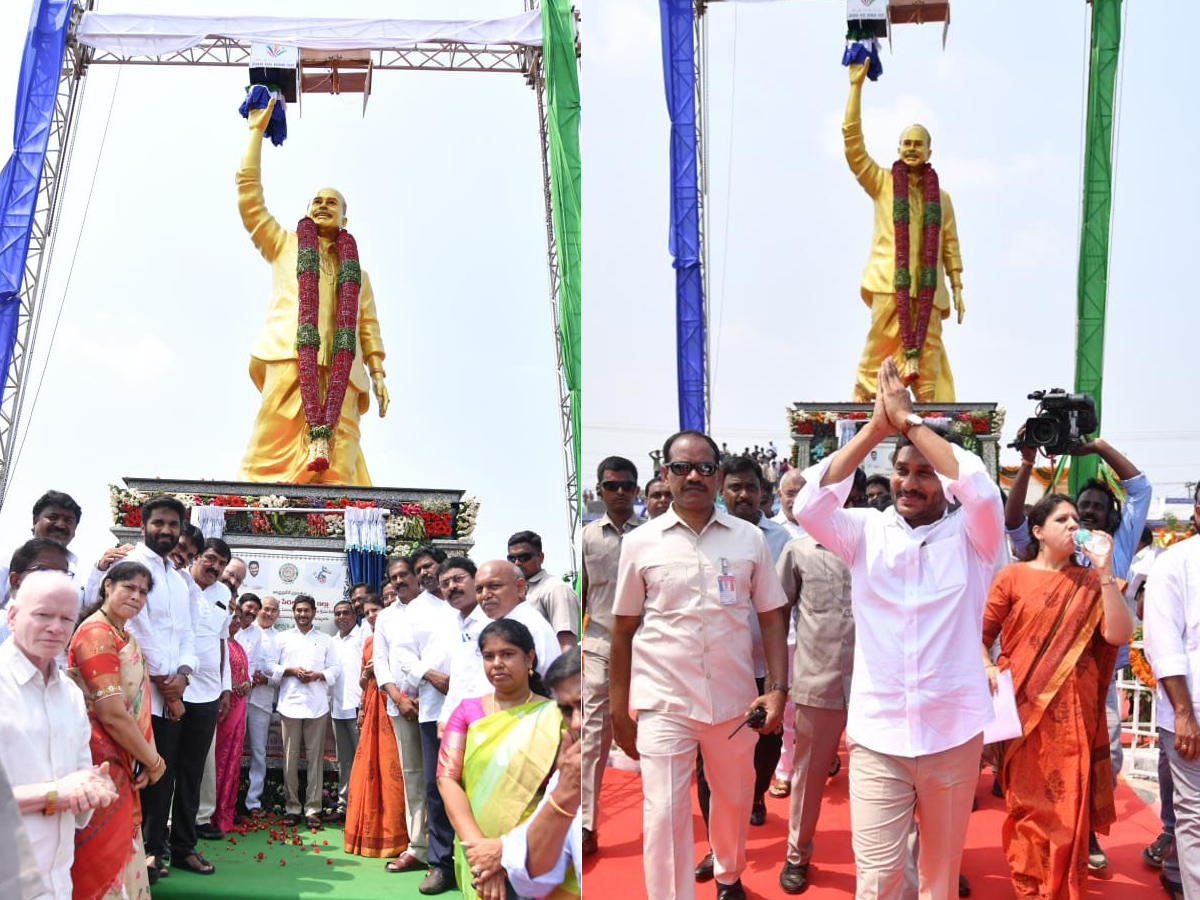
{"type": "Point", "coordinates": [1094, 250]}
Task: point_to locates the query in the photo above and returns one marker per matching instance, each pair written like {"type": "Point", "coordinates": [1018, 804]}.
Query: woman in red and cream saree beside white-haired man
{"type": "Point", "coordinates": [109, 667]}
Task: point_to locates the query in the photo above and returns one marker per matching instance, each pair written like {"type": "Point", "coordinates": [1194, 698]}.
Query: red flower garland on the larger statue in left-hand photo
{"type": "Point", "coordinates": [322, 418]}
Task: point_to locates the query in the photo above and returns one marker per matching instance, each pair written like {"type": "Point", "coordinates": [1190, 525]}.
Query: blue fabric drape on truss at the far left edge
{"type": "Point", "coordinates": [37, 89]}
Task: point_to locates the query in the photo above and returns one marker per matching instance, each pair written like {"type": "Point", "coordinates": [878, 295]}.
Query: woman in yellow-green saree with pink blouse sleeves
{"type": "Point", "coordinates": [497, 754]}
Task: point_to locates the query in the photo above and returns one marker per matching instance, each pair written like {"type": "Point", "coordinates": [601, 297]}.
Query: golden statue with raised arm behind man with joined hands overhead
{"type": "Point", "coordinates": [925, 364]}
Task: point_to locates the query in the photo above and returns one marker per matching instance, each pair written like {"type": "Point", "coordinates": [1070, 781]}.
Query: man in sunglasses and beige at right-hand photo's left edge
{"type": "Point", "coordinates": [617, 489]}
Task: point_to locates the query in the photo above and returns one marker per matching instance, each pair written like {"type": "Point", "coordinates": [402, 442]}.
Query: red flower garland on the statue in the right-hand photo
{"type": "Point", "coordinates": [914, 339]}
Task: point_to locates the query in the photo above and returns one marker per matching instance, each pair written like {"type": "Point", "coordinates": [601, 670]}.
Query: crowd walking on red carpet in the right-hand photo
{"type": "Point", "coordinates": [893, 611]}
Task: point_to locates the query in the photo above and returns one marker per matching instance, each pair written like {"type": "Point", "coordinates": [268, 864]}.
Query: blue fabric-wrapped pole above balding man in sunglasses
{"type": "Point", "coordinates": [680, 76]}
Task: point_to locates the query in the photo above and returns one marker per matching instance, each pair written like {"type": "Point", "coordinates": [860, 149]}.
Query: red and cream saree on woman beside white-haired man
{"type": "Point", "coordinates": [109, 850]}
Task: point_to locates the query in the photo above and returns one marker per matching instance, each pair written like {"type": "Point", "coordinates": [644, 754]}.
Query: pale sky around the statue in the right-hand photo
{"type": "Point", "coordinates": [790, 227]}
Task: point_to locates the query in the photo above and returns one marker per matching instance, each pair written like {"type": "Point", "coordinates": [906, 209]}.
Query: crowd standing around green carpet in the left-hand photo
{"type": "Point", "coordinates": [131, 688]}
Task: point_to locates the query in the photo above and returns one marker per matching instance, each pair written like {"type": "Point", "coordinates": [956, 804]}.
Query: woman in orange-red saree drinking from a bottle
{"type": "Point", "coordinates": [1059, 626]}
